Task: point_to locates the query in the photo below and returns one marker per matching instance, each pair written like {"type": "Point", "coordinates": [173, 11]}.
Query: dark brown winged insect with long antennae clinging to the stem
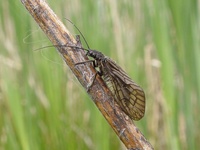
{"type": "Point", "coordinates": [127, 94]}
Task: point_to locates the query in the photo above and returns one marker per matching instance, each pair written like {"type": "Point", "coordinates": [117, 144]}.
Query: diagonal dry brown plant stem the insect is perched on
{"type": "Point", "coordinates": [100, 94]}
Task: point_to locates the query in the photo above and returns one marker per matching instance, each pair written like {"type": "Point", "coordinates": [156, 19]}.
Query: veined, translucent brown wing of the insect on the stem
{"type": "Point", "coordinates": [129, 96]}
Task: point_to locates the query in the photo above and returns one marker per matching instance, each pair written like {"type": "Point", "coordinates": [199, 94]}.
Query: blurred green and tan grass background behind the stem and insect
{"type": "Point", "coordinates": [42, 105]}
